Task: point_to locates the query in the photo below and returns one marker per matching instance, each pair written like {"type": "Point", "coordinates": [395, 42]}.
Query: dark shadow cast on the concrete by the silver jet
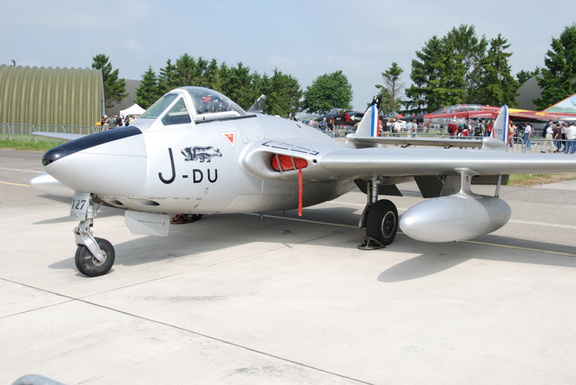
{"type": "Point", "coordinates": [227, 231]}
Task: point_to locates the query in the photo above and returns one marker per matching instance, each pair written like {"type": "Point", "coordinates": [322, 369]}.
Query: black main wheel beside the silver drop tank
{"type": "Point", "coordinates": [382, 222]}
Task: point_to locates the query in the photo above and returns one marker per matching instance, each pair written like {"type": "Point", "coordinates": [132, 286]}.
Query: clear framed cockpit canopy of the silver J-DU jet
{"type": "Point", "coordinates": [198, 104]}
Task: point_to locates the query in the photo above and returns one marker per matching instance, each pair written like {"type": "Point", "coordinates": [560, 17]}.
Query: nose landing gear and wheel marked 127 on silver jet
{"type": "Point", "coordinates": [94, 256]}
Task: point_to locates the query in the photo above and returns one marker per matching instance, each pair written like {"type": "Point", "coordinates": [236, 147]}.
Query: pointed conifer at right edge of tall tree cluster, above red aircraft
{"type": "Point", "coordinates": [496, 85]}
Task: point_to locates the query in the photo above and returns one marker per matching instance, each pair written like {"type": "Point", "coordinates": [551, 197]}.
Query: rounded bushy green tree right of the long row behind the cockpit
{"type": "Point", "coordinates": [326, 92]}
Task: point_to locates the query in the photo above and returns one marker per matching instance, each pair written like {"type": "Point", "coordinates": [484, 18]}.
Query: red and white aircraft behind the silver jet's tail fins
{"type": "Point", "coordinates": [563, 109]}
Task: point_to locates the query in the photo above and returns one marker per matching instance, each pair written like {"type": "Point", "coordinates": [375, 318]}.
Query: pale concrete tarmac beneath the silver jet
{"type": "Point", "coordinates": [231, 299]}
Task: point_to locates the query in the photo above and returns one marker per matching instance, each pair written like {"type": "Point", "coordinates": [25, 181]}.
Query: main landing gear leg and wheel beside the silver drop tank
{"type": "Point", "coordinates": [380, 218]}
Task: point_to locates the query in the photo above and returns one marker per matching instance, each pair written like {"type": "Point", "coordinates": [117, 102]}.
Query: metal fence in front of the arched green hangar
{"type": "Point", "coordinates": [25, 131]}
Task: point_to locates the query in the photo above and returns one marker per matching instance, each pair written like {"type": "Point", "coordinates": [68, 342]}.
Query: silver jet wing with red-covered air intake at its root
{"type": "Point", "coordinates": [366, 163]}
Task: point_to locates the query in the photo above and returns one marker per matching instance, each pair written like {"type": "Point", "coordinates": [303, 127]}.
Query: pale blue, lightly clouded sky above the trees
{"type": "Point", "coordinates": [305, 39]}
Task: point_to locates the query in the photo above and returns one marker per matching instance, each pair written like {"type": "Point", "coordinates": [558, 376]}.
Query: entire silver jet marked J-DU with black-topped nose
{"type": "Point", "coordinates": [197, 152]}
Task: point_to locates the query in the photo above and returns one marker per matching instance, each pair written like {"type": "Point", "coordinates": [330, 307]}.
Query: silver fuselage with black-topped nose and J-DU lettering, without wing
{"type": "Point", "coordinates": [194, 167]}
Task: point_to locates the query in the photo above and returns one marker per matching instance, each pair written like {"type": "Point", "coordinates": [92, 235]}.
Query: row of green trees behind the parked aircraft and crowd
{"type": "Point", "coordinates": [458, 68]}
